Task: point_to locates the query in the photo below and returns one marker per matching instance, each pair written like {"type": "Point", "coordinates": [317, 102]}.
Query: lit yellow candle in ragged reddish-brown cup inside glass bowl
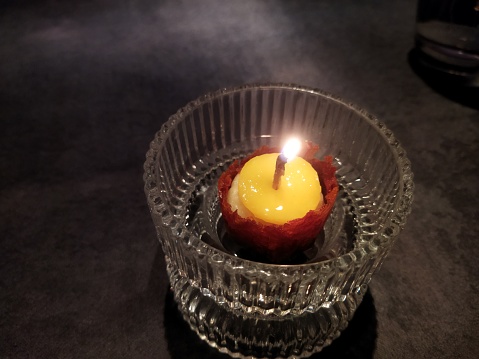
{"type": "Point", "coordinates": [276, 203]}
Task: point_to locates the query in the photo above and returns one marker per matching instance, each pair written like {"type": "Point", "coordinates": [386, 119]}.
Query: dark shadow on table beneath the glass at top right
{"type": "Point", "coordinates": [452, 86]}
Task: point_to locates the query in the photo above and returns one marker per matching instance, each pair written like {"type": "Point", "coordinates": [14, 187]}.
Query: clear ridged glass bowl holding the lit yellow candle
{"type": "Point", "coordinates": [234, 301]}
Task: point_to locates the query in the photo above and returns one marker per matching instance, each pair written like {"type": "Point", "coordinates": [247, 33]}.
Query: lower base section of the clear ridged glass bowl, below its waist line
{"type": "Point", "coordinates": [252, 335]}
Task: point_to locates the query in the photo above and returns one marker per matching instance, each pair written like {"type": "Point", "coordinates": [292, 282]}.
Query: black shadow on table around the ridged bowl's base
{"type": "Point", "coordinates": [357, 341]}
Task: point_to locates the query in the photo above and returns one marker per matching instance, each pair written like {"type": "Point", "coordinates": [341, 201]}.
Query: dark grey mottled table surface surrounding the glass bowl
{"type": "Point", "coordinates": [84, 85]}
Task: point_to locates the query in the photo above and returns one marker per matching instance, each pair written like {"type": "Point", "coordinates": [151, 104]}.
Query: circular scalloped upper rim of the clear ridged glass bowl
{"type": "Point", "coordinates": [391, 228]}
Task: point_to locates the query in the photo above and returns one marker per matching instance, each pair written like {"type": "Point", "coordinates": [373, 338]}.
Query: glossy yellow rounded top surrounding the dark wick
{"type": "Point", "coordinates": [299, 189]}
